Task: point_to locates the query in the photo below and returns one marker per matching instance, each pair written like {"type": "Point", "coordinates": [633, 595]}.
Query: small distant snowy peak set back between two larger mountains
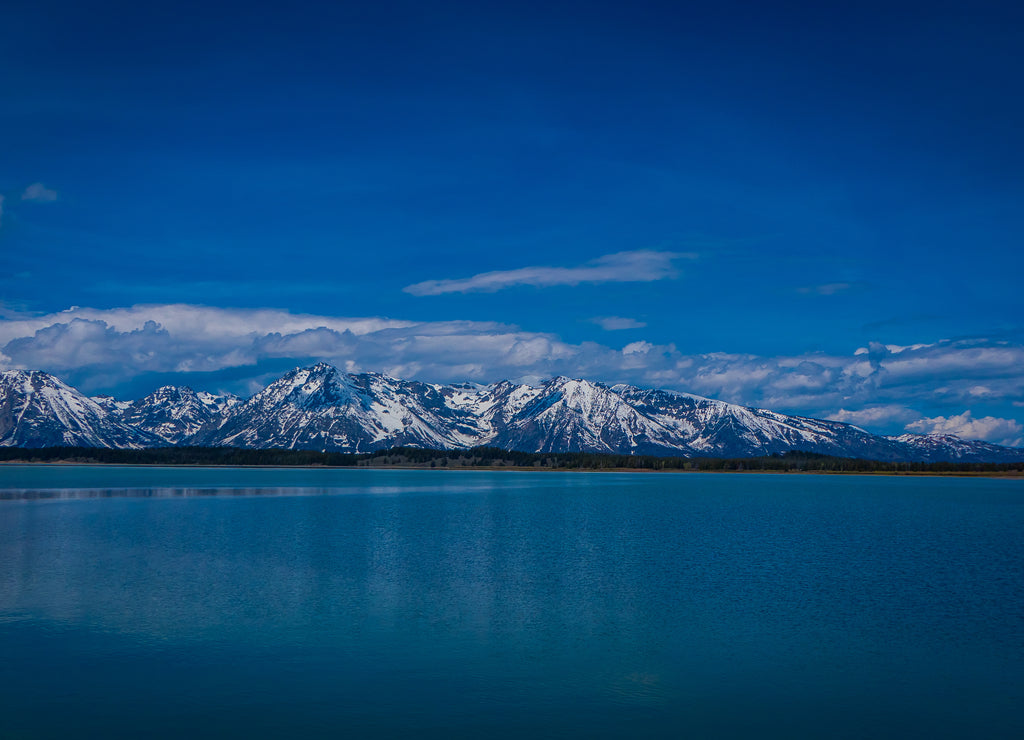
{"type": "Point", "coordinates": [172, 413]}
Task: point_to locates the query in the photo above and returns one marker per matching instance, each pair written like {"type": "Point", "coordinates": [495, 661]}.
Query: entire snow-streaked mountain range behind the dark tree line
{"type": "Point", "coordinates": [323, 409]}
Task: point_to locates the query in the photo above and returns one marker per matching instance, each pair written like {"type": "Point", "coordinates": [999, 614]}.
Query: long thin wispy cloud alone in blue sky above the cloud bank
{"type": "Point", "coordinates": [637, 267]}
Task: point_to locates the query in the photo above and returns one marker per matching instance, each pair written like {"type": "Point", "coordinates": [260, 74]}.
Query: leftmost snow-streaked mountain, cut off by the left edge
{"type": "Point", "coordinates": [39, 411]}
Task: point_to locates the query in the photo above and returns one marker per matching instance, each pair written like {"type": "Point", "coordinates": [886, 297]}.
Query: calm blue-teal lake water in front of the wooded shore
{"type": "Point", "coordinates": [295, 603]}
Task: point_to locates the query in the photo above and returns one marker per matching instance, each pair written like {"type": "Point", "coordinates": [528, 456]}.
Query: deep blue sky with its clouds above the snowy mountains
{"type": "Point", "coordinates": [809, 208]}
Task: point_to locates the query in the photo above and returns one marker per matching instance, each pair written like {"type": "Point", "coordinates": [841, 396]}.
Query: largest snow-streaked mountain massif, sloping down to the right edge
{"type": "Point", "coordinates": [321, 408]}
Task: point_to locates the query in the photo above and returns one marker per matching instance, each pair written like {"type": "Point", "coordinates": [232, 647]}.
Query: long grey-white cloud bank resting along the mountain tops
{"type": "Point", "coordinates": [885, 387]}
